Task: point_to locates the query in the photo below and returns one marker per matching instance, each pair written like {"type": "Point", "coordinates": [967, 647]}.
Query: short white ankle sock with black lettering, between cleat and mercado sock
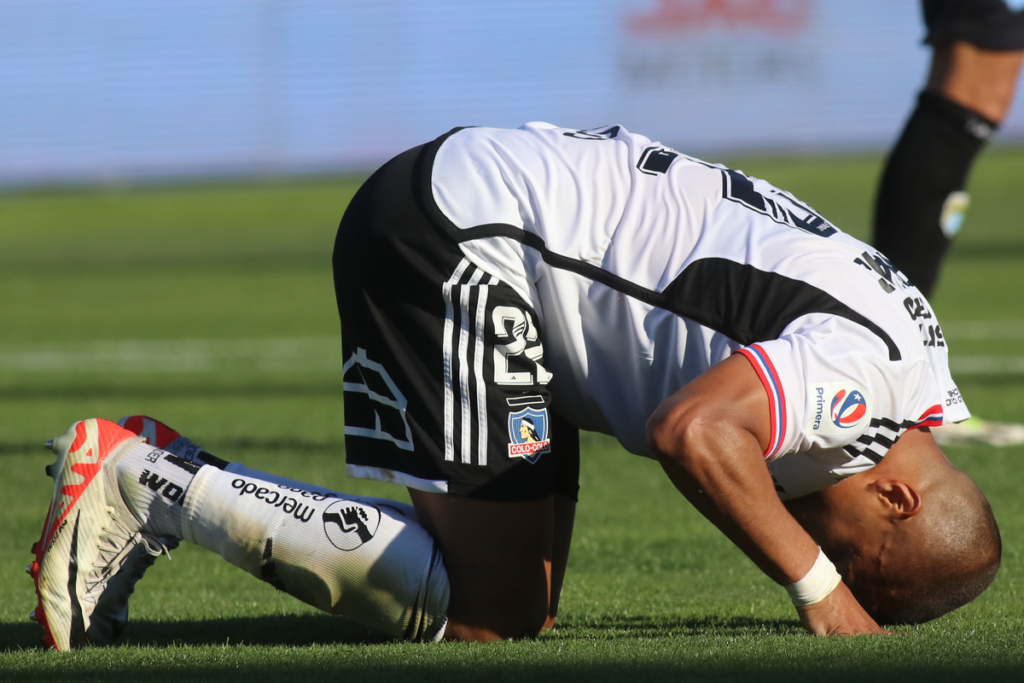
{"type": "Point", "coordinates": [154, 484]}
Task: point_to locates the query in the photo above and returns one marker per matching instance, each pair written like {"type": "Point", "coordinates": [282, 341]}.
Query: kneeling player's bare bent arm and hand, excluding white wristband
{"type": "Point", "coordinates": [710, 438]}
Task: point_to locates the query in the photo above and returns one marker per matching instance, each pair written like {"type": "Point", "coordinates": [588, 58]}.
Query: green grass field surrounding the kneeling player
{"type": "Point", "coordinates": [211, 308]}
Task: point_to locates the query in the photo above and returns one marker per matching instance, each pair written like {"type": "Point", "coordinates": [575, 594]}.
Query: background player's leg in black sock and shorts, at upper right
{"type": "Point", "coordinates": [977, 53]}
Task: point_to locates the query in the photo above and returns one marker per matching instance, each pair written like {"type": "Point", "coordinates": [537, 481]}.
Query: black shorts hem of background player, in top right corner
{"type": "Point", "coordinates": [991, 25]}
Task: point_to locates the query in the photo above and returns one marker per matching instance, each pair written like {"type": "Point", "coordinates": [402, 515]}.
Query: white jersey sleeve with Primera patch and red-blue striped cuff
{"type": "Point", "coordinates": [832, 386]}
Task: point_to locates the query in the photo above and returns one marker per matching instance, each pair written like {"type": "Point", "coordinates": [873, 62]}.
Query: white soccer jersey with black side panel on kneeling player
{"type": "Point", "coordinates": [648, 267]}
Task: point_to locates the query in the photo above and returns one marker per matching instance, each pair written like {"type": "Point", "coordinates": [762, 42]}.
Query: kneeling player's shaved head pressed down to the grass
{"type": "Point", "coordinates": [914, 537]}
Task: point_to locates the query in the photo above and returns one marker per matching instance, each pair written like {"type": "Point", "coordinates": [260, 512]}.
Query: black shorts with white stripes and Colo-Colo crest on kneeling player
{"type": "Point", "coordinates": [444, 387]}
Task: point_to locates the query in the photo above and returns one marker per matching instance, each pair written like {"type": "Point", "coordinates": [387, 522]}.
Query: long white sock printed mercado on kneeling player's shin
{"type": "Point", "coordinates": [353, 557]}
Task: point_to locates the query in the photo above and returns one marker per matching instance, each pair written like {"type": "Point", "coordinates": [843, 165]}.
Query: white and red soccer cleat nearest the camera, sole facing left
{"type": "Point", "coordinates": [89, 533]}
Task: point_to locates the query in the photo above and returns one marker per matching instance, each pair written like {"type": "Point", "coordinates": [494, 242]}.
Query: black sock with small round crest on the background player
{"type": "Point", "coordinates": [921, 202]}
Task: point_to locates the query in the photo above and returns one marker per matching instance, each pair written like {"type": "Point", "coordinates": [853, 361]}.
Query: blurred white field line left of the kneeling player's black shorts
{"type": "Point", "coordinates": [283, 355]}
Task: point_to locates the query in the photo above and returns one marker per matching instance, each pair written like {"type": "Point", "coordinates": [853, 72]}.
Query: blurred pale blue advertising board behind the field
{"type": "Point", "coordinates": [114, 91]}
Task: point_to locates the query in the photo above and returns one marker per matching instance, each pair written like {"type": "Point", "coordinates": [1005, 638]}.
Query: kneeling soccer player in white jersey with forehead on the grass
{"type": "Point", "coordinates": [500, 290]}
